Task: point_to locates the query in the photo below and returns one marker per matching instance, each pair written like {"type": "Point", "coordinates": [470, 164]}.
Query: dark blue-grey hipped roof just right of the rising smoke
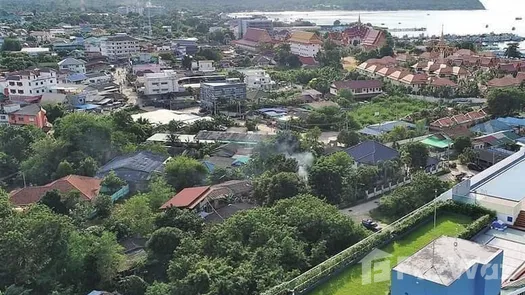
{"type": "Point", "coordinates": [371, 152]}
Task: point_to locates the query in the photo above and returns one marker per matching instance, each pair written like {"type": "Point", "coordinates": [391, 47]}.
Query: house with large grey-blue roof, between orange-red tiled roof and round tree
{"type": "Point", "coordinates": [137, 169]}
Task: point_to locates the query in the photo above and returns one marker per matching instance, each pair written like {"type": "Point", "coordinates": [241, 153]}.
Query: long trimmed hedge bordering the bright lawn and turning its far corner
{"type": "Point", "coordinates": [356, 252]}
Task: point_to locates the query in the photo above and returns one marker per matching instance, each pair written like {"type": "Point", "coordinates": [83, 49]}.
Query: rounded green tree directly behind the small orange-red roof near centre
{"type": "Point", "coordinates": [183, 172]}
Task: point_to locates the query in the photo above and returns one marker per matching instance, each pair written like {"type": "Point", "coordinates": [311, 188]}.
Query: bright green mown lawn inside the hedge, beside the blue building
{"type": "Point", "coordinates": [349, 282]}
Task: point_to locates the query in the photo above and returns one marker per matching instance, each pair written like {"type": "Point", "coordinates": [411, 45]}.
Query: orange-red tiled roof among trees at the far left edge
{"type": "Point", "coordinates": [88, 187]}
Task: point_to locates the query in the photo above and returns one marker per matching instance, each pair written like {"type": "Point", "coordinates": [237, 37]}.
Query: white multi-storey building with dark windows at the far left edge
{"type": "Point", "coordinates": [30, 84]}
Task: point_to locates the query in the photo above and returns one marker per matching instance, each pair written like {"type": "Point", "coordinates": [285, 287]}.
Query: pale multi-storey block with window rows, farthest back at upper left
{"type": "Point", "coordinates": [120, 46]}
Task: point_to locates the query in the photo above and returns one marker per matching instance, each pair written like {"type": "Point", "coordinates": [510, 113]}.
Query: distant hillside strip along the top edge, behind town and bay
{"type": "Point", "coordinates": [250, 5]}
